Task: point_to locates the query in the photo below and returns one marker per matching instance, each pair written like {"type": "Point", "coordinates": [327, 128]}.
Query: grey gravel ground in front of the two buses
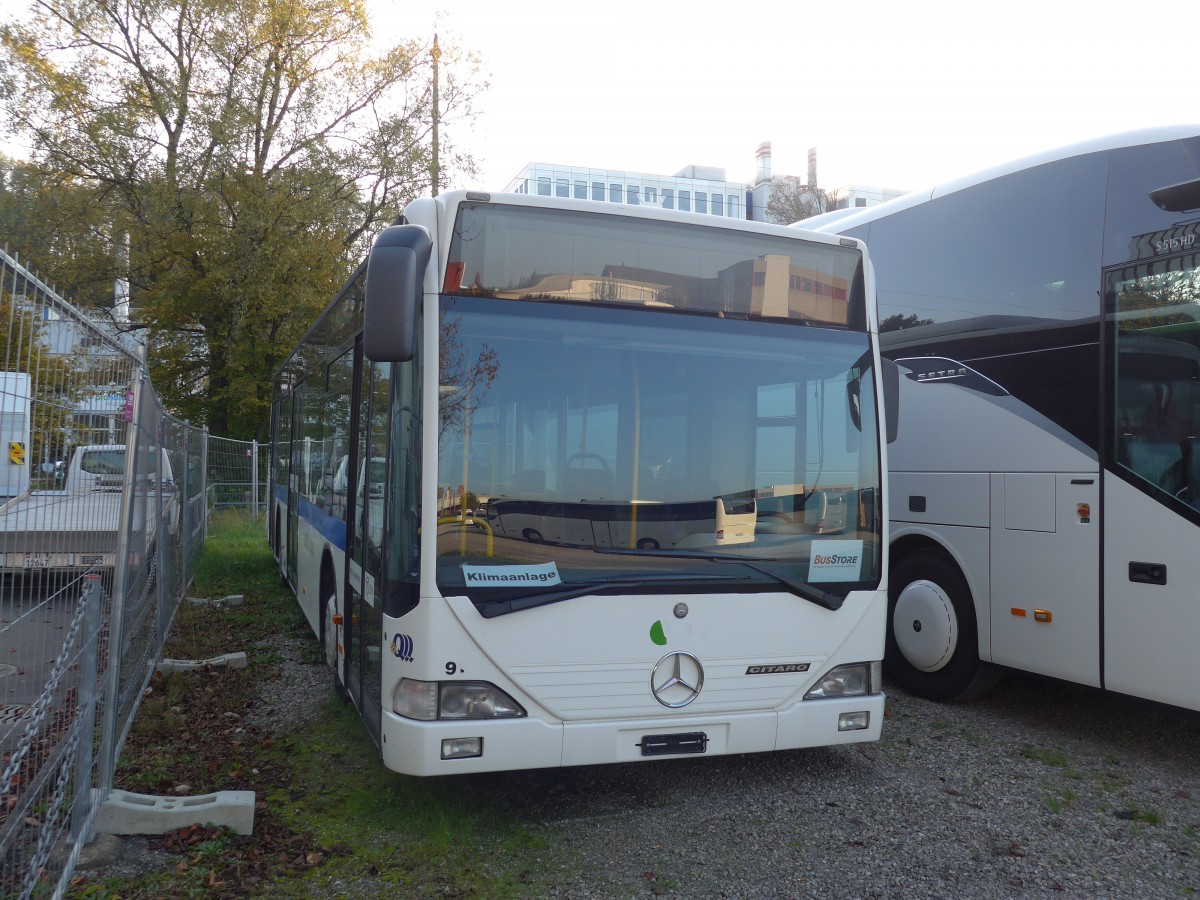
{"type": "Point", "coordinates": [1040, 790]}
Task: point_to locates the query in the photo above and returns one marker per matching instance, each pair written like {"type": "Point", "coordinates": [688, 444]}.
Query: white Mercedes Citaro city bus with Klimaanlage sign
{"type": "Point", "coordinates": [625, 364]}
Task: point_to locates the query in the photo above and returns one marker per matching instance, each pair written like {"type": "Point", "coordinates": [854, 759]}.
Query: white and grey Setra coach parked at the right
{"type": "Point", "coordinates": [1046, 483]}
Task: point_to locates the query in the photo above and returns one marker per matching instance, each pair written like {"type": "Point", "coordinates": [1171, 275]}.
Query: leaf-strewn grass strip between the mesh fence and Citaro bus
{"type": "Point", "coordinates": [328, 815]}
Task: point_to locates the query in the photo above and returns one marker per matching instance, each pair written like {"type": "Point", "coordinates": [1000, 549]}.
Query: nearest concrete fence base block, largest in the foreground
{"type": "Point", "coordinates": [127, 813]}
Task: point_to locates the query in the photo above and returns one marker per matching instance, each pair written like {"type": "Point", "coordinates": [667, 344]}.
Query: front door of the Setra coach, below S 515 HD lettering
{"type": "Point", "coordinates": [1153, 479]}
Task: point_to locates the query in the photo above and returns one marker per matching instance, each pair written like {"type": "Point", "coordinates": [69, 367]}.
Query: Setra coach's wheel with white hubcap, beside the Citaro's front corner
{"type": "Point", "coordinates": [933, 641]}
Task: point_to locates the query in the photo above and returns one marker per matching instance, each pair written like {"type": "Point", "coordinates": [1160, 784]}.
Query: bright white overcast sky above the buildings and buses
{"type": "Point", "coordinates": [898, 94]}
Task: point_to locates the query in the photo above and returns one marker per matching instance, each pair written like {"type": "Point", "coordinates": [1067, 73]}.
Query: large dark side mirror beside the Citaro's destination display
{"type": "Point", "coordinates": [395, 285]}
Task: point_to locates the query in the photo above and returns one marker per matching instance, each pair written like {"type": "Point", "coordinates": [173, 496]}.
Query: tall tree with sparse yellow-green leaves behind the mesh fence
{"type": "Point", "coordinates": [249, 149]}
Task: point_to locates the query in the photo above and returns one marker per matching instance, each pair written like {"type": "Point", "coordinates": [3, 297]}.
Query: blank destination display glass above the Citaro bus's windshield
{"type": "Point", "coordinates": [538, 254]}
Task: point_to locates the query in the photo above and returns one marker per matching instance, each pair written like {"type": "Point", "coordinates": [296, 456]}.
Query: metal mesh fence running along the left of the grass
{"type": "Point", "coordinates": [104, 509]}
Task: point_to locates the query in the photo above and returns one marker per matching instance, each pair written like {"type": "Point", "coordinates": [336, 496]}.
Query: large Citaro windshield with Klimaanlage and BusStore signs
{"type": "Point", "coordinates": [592, 446]}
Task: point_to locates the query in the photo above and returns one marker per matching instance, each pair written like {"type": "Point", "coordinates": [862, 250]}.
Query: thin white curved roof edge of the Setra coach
{"type": "Point", "coordinates": [838, 221]}
